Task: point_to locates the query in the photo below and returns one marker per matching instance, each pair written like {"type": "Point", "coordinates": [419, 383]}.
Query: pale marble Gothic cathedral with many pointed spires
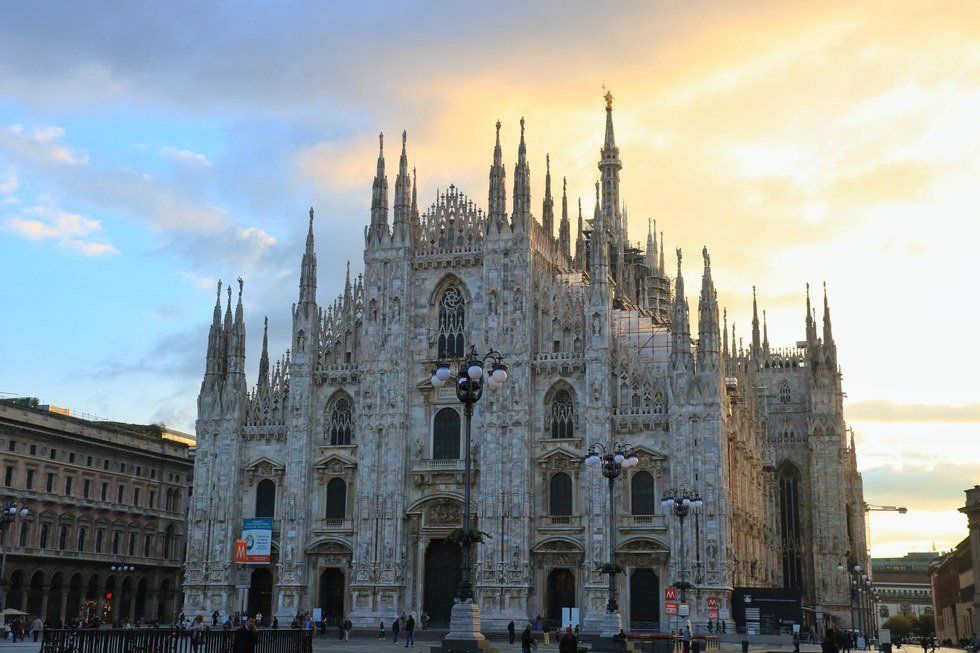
{"type": "Point", "coordinates": [357, 457]}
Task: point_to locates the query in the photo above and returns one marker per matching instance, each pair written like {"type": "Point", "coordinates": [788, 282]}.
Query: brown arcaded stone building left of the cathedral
{"type": "Point", "coordinates": [99, 494]}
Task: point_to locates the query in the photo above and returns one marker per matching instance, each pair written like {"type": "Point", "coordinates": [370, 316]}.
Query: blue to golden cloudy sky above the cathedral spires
{"type": "Point", "coordinates": [148, 149]}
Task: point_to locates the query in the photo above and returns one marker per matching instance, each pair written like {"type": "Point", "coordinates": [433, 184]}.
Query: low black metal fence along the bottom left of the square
{"type": "Point", "coordinates": [168, 640]}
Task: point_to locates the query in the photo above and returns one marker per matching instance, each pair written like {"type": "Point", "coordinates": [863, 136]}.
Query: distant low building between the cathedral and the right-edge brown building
{"type": "Point", "coordinates": [903, 585]}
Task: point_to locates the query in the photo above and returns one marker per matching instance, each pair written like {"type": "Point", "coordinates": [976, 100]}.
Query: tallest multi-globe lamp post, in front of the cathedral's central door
{"type": "Point", "coordinates": [471, 377]}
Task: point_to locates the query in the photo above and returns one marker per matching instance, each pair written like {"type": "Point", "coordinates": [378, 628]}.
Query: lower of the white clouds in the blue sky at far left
{"type": "Point", "coordinates": [70, 230]}
